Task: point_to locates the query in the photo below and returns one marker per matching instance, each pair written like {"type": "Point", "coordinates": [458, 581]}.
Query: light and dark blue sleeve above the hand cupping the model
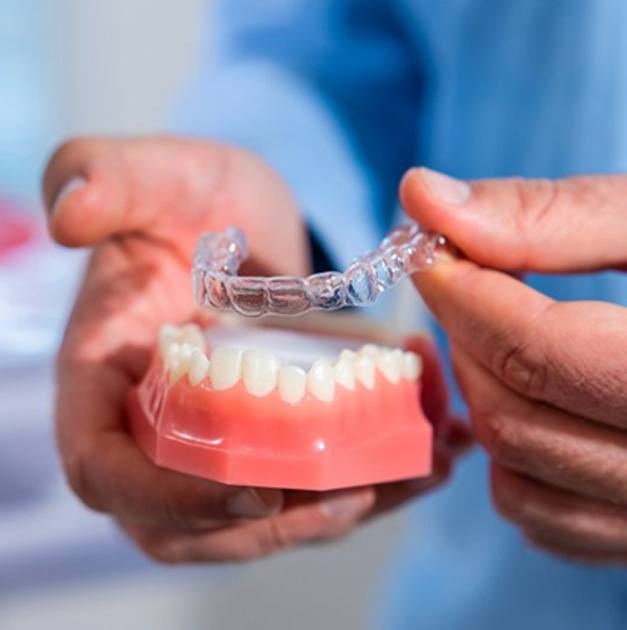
{"type": "Point", "coordinates": [326, 92]}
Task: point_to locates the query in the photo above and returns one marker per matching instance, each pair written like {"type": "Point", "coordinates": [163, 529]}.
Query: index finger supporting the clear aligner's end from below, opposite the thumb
{"type": "Point", "coordinates": [565, 354]}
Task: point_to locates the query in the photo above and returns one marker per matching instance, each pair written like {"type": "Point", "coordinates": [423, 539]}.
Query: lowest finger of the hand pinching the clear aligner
{"type": "Point", "coordinates": [572, 520]}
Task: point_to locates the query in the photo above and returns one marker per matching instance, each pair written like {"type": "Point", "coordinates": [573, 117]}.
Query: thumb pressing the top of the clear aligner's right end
{"type": "Point", "coordinates": [533, 225]}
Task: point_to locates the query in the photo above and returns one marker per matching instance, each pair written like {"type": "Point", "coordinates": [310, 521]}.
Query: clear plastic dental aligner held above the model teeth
{"type": "Point", "coordinates": [404, 251]}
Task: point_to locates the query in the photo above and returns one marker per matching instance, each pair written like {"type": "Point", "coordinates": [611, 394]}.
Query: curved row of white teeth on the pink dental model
{"type": "Point", "coordinates": [182, 352]}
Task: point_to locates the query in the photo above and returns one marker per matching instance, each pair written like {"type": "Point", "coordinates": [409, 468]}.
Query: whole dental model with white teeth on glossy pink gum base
{"type": "Point", "coordinates": [314, 405]}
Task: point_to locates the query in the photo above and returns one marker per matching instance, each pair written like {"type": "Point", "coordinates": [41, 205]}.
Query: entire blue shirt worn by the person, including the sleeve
{"type": "Point", "coordinates": [341, 96]}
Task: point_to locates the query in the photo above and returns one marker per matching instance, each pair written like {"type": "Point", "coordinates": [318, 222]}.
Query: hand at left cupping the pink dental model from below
{"type": "Point", "coordinates": [142, 204]}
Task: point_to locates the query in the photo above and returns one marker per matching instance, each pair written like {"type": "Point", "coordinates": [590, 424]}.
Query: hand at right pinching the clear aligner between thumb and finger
{"type": "Point", "coordinates": [545, 382]}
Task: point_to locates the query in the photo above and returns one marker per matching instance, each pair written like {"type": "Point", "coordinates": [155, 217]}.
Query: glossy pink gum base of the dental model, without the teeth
{"type": "Point", "coordinates": [365, 434]}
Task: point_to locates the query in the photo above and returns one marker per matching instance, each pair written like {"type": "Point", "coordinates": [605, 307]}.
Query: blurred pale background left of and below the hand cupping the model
{"type": "Point", "coordinates": [84, 67]}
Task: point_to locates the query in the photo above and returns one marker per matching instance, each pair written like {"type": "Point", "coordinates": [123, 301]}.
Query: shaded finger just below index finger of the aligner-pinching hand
{"type": "Point", "coordinates": [541, 442]}
